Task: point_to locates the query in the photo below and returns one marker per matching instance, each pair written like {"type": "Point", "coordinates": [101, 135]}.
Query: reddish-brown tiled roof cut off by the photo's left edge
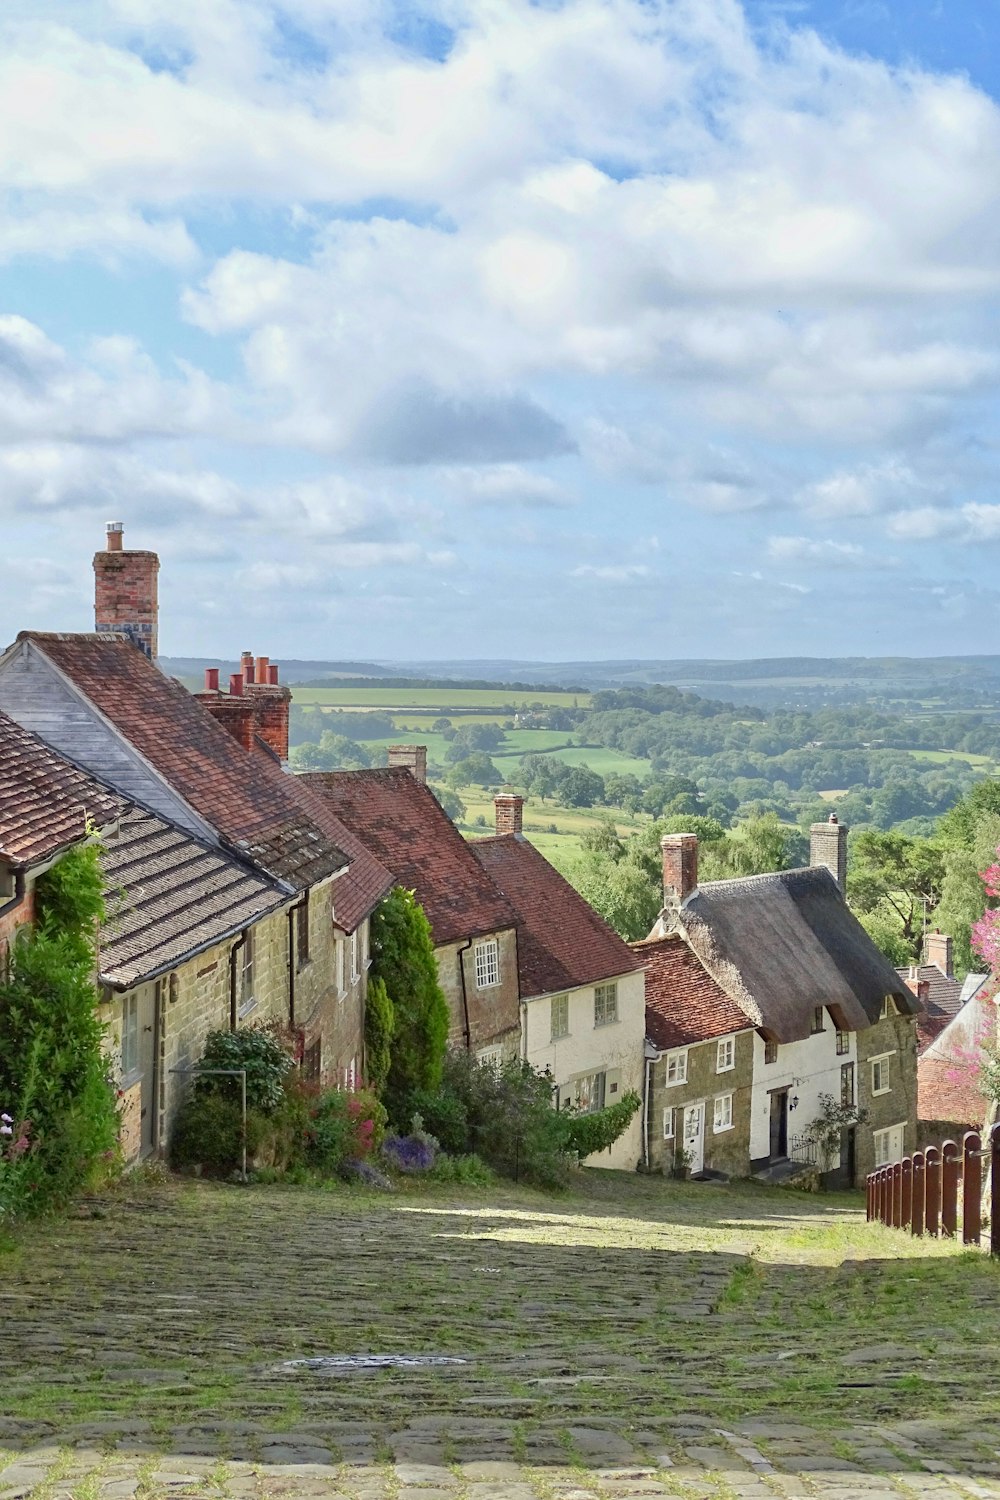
{"type": "Point", "coordinates": [46, 803]}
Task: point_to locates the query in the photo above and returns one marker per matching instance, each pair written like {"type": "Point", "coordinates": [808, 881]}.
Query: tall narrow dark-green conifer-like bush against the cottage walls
{"type": "Point", "coordinates": [404, 961]}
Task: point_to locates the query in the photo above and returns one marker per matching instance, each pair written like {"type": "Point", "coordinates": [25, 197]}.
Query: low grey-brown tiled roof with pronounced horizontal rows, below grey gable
{"type": "Point", "coordinates": [170, 898]}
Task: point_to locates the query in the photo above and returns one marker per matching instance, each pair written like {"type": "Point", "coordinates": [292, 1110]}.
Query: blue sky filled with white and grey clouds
{"type": "Point", "coordinates": [484, 328]}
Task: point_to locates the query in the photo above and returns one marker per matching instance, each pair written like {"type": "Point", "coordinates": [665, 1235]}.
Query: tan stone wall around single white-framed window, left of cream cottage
{"type": "Point", "coordinates": [491, 1015]}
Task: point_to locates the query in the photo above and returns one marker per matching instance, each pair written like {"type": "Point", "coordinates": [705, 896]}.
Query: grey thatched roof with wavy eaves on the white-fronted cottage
{"type": "Point", "coordinates": [783, 944]}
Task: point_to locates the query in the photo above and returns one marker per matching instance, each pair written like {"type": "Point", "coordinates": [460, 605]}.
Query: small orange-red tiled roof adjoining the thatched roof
{"type": "Point", "coordinates": [684, 1004]}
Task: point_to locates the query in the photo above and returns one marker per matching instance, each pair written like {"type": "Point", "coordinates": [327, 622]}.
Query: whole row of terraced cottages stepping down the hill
{"type": "Point", "coordinates": [242, 895]}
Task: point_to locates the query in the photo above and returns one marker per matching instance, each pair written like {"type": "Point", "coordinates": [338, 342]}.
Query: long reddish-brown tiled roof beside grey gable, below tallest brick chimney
{"type": "Point", "coordinates": [247, 799]}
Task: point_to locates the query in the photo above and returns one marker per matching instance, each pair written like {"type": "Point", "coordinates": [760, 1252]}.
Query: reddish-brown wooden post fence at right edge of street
{"type": "Point", "coordinates": [929, 1192]}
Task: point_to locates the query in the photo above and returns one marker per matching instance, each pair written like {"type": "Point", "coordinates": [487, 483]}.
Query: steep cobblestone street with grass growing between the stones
{"type": "Point", "coordinates": [633, 1339]}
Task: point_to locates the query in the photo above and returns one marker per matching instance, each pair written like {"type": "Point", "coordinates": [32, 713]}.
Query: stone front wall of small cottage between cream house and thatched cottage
{"type": "Point", "coordinates": [726, 1148]}
